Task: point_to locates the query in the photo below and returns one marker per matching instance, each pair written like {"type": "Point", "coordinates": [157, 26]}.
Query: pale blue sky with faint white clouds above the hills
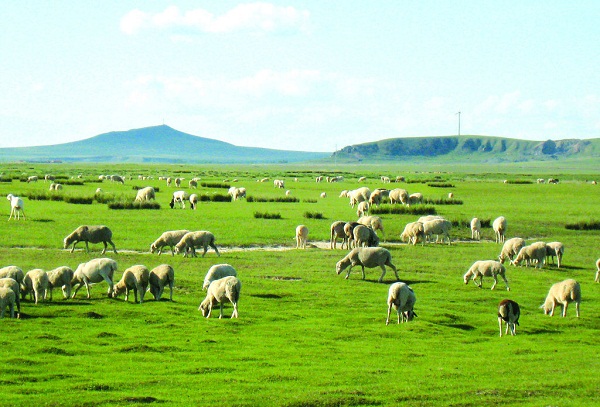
{"type": "Point", "coordinates": [299, 75]}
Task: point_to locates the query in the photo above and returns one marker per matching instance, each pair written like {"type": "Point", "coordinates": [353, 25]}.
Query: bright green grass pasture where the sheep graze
{"type": "Point", "coordinates": [305, 336]}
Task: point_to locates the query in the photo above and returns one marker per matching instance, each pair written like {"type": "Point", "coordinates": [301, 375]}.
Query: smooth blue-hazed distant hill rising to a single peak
{"type": "Point", "coordinates": [153, 145]}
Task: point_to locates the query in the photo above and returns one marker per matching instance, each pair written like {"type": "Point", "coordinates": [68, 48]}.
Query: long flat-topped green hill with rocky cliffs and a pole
{"type": "Point", "coordinates": [470, 149]}
